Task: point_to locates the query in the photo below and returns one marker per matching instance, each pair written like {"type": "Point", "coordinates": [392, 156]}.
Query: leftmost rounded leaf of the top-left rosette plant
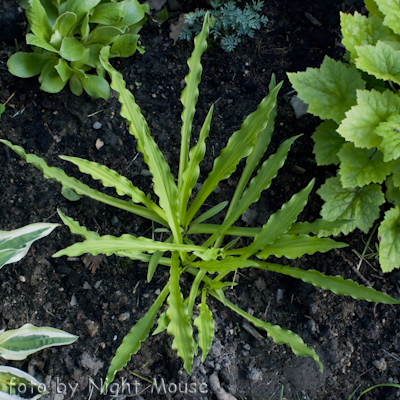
{"type": "Point", "coordinates": [26, 65]}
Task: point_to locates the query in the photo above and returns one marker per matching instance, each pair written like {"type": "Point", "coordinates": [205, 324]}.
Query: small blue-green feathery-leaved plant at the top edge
{"type": "Point", "coordinates": [230, 22]}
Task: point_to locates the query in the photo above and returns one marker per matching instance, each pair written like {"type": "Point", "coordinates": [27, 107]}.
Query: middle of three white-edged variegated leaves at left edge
{"type": "Point", "coordinates": [17, 344]}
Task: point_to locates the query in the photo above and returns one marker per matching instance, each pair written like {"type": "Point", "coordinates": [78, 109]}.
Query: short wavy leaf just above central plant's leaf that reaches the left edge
{"type": "Point", "coordinates": [111, 178]}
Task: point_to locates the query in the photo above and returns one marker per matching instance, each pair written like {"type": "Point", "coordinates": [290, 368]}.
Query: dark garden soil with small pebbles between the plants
{"type": "Point", "coordinates": [357, 341]}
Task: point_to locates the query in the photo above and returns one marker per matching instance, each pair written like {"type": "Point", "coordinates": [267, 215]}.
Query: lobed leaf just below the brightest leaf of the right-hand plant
{"type": "Point", "coordinates": [360, 167]}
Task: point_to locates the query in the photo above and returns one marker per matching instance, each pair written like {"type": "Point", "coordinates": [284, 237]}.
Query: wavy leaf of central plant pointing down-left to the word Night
{"type": "Point", "coordinates": [132, 341]}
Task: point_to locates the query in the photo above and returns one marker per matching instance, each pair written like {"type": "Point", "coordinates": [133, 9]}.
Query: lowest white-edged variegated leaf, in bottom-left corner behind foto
{"type": "Point", "coordinates": [13, 381]}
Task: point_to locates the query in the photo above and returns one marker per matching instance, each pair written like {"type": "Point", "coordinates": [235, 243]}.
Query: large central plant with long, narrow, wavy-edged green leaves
{"type": "Point", "coordinates": [193, 246]}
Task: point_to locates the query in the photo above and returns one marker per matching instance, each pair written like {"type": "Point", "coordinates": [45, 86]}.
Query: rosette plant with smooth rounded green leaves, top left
{"type": "Point", "coordinates": [67, 37]}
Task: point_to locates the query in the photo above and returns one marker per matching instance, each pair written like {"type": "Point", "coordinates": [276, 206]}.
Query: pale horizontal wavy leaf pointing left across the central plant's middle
{"type": "Point", "coordinates": [109, 244]}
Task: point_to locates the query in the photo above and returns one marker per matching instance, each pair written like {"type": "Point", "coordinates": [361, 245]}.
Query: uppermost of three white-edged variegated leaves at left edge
{"type": "Point", "coordinates": [14, 245]}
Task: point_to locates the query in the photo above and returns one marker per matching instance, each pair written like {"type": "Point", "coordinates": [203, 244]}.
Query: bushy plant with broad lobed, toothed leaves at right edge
{"type": "Point", "coordinates": [359, 102]}
